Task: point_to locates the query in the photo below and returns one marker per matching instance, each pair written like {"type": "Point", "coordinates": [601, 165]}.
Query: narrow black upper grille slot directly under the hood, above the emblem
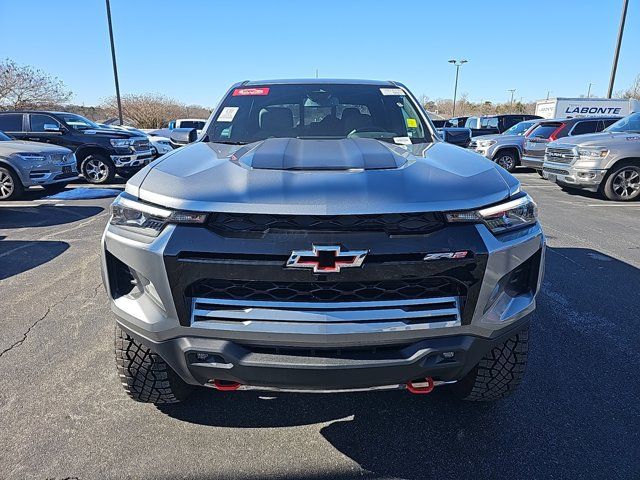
{"type": "Point", "coordinates": [242, 224]}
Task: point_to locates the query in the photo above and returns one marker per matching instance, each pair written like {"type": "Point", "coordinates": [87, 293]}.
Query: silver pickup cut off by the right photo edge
{"type": "Point", "coordinates": [606, 162]}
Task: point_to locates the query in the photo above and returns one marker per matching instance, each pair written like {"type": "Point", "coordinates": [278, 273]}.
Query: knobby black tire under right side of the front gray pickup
{"type": "Point", "coordinates": [498, 373]}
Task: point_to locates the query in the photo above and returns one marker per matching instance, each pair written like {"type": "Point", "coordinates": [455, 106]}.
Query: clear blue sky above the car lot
{"type": "Point", "coordinates": [193, 50]}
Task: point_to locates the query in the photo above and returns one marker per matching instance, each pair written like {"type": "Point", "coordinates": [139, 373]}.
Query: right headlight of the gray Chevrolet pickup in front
{"type": "Point", "coordinates": [500, 218]}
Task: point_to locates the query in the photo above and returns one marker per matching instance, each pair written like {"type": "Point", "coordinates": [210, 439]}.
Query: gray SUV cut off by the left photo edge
{"type": "Point", "coordinates": [27, 164]}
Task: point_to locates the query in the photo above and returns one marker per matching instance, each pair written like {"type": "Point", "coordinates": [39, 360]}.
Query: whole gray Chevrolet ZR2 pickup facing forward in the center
{"type": "Point", "coordinates": [319, 236]}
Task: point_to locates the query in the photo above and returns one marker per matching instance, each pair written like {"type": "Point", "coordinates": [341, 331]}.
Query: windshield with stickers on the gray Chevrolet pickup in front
{"type": "Point", "coordinates": [318, 112]}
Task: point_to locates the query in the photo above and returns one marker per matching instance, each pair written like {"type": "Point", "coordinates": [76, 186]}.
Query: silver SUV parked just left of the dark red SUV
{"type": "Point", "coordinates": [504, 148]}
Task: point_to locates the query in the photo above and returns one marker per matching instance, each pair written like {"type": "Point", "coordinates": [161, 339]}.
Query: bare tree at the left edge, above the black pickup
{"type": "Point", "coordinates": [28, 87]}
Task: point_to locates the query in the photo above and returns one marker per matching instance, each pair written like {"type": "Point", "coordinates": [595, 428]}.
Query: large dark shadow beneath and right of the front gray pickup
{"type": "Point", "coordinates": [575, 414]}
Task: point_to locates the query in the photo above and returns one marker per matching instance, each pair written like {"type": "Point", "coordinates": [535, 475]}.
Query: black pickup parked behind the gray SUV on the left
{"type": "Point", "coordinates": [100, 152]}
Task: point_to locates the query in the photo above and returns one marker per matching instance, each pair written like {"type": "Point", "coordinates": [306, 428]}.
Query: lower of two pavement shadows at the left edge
{"type": "Point", "coordinates": [19, 256]}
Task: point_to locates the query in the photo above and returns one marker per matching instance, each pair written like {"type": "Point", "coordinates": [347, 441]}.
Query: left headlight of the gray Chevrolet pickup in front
{"type": "Point", "coordinates": [130, 214]}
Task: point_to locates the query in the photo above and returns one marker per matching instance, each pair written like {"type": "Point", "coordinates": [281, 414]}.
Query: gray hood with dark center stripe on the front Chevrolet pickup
{"type": "Point", "coordinates": [291, 177]}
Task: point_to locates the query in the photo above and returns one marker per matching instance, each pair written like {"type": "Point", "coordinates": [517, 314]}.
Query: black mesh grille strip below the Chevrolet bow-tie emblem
{"type": "Point", "coordinates": [325, 291]}
